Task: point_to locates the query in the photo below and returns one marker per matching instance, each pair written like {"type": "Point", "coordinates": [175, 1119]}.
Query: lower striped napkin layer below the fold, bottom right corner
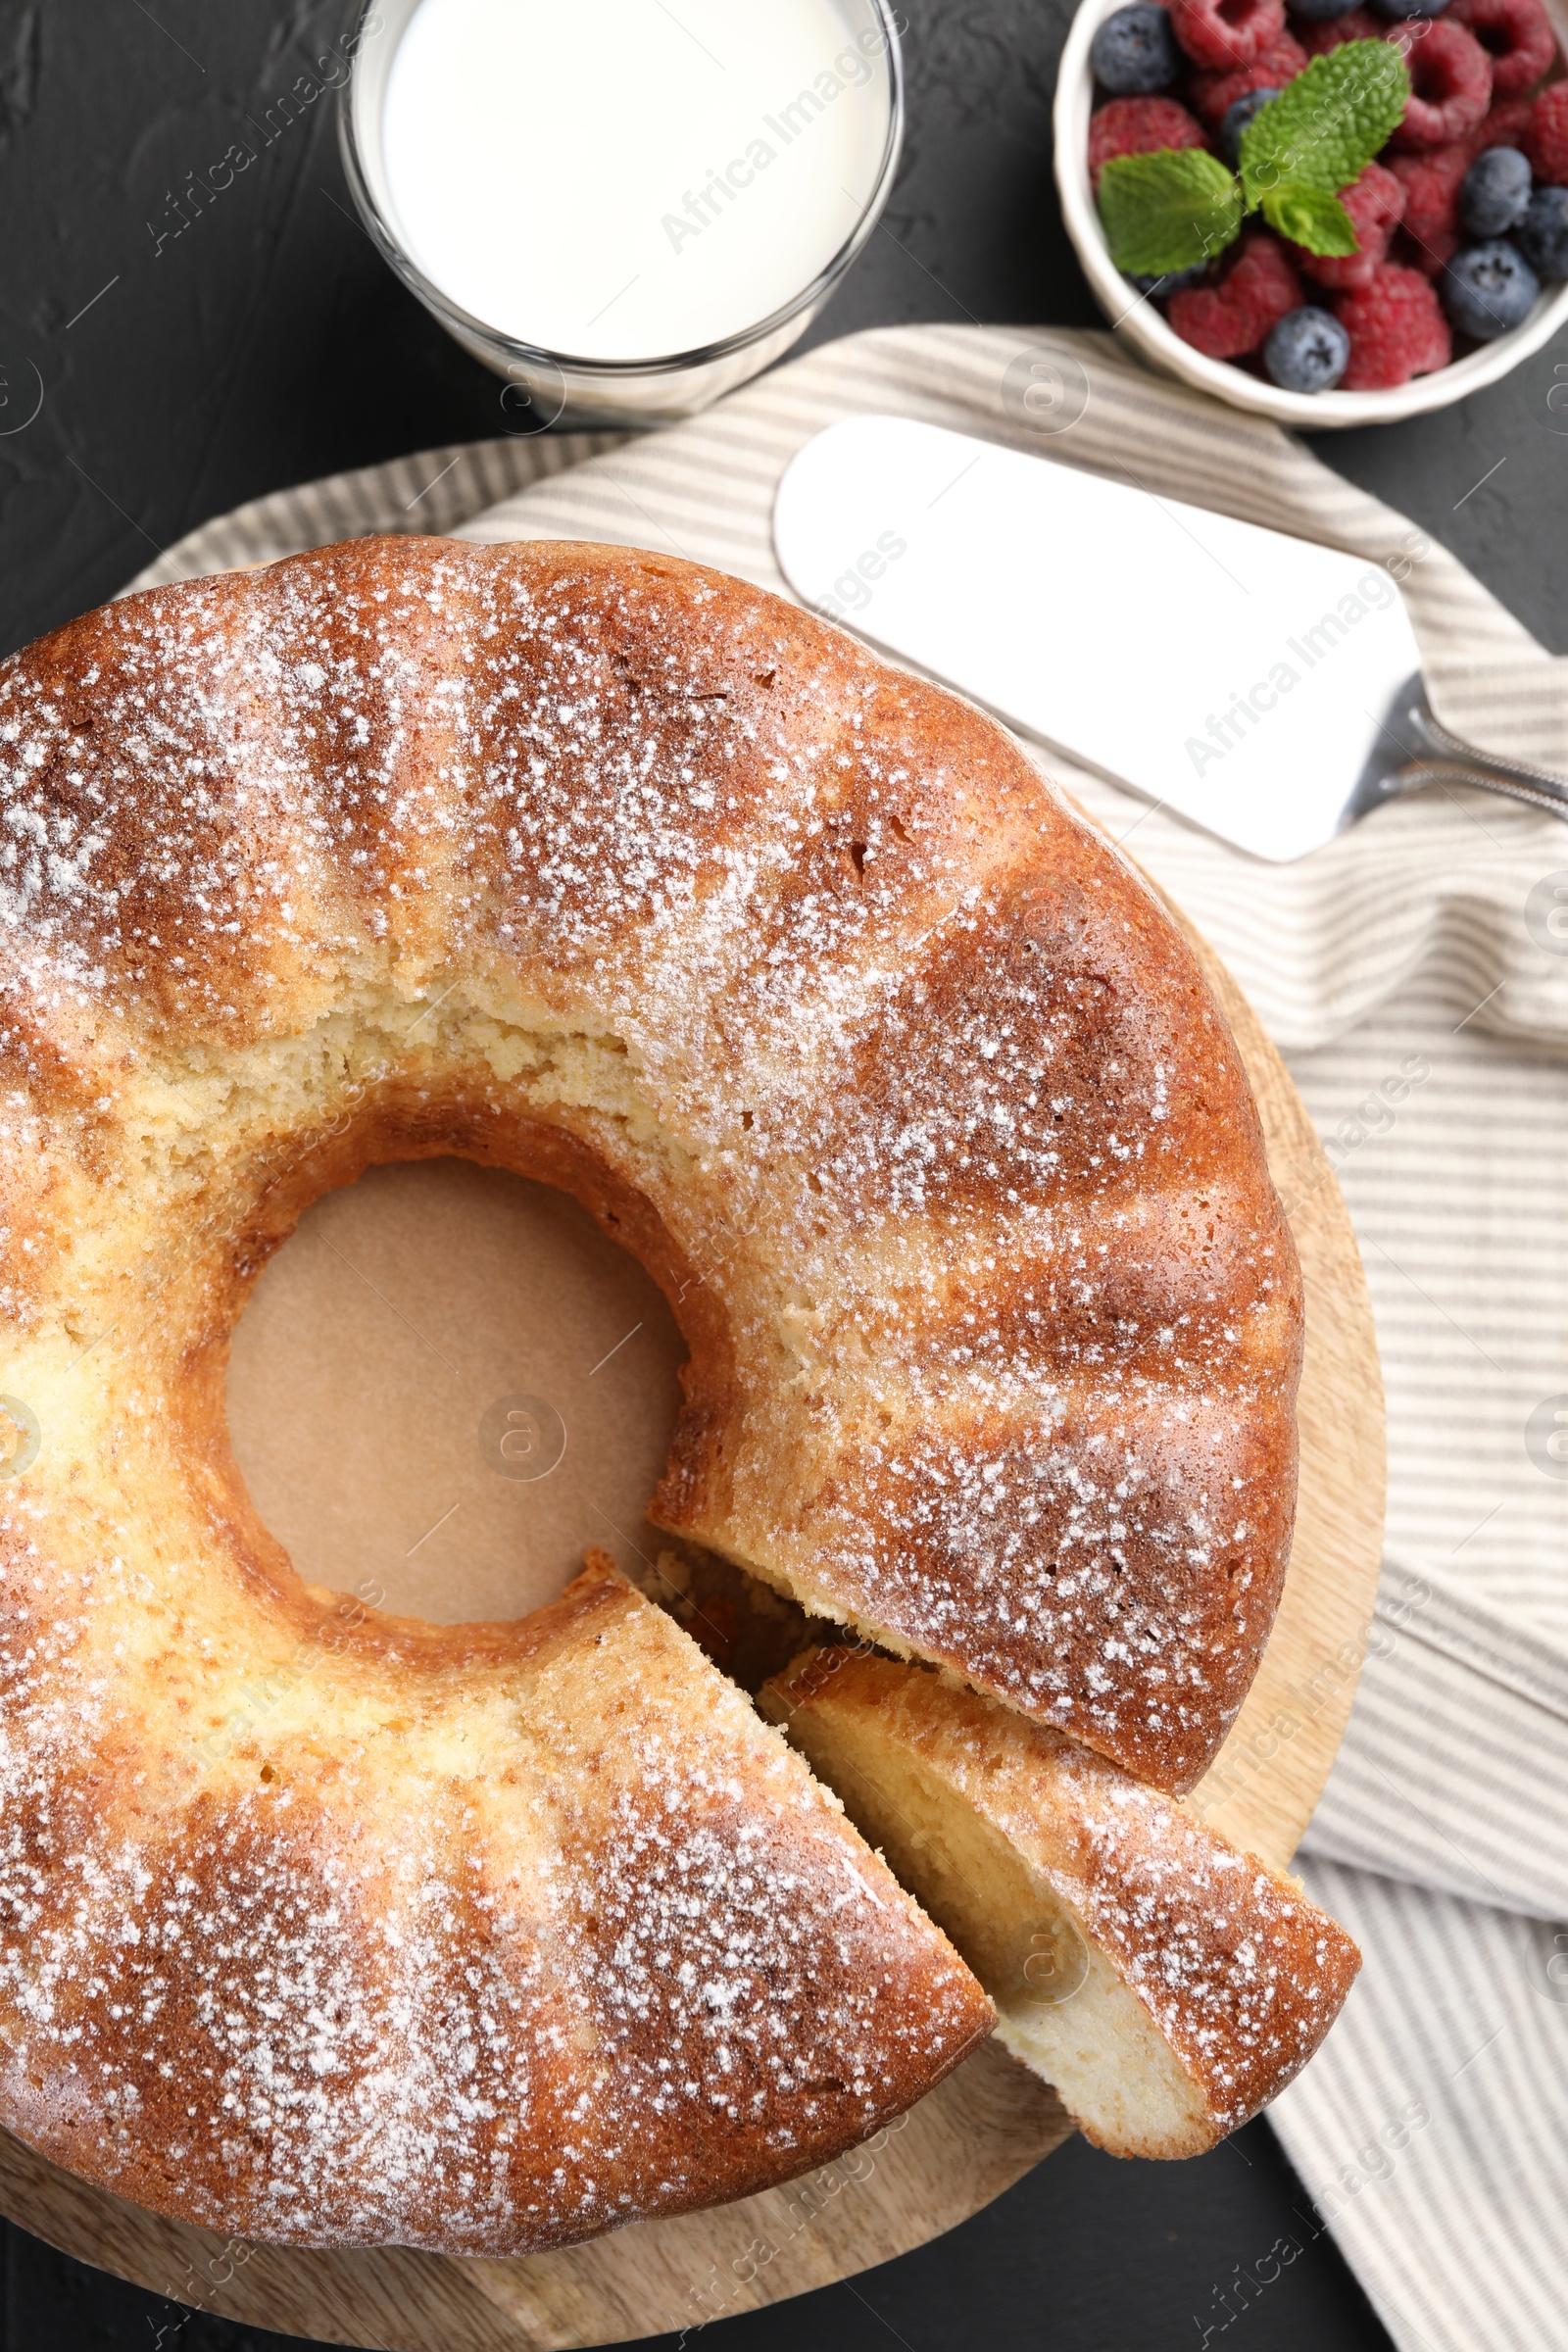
{"type": "Point", "coordinates": [1430, 2132]}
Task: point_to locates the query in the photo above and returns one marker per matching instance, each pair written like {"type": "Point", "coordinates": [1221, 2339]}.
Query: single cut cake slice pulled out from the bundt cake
{"type": "Point", "coordinates": [1162, 1982]}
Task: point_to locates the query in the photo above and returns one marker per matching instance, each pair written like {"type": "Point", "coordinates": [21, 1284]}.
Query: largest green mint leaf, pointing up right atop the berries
{"type": "Point", "coordinates": [1327, 126]}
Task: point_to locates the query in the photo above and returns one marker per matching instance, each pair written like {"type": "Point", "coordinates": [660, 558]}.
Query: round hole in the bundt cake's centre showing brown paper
{"type": "Point", "coordinates": [445, 1387]}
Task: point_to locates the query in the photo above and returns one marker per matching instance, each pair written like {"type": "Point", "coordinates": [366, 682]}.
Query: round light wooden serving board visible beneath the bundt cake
{"type": "Point", "coordinates": [991, 2123]}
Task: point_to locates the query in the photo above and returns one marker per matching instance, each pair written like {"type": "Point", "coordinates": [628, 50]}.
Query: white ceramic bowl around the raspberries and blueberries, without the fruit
{"type": "Point", "coordinates": [1148, 333]}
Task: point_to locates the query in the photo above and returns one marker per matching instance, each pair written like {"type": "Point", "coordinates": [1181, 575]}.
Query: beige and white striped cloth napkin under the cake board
{"type": "Point", "coordinates": [1416, 977]}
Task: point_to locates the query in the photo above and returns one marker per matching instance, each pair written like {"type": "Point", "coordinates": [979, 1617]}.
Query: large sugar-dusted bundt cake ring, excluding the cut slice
{"type": "Point", "coordinates": [335, 1927]}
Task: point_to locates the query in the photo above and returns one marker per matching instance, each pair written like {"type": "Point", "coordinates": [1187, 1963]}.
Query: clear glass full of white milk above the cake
{"type": "Point", "coordinates": [624, 206]}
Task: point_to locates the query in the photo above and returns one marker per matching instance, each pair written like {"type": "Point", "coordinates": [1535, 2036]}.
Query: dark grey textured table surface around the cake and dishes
{"type": "Point", "coordinates": [147, 387]}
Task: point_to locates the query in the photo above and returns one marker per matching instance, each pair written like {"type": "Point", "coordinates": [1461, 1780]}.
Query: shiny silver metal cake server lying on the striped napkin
{"type": "Point", "coordinates": [1259, 686]}
